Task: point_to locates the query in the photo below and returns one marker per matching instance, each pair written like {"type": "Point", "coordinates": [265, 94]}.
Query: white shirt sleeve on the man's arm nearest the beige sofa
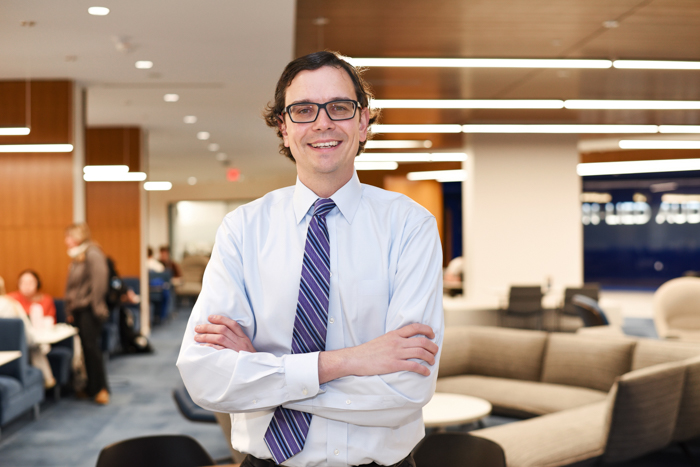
{"type": "Point", "coordinates": [394, 399]}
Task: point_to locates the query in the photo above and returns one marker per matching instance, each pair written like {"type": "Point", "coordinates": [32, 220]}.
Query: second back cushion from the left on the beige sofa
{"type": "Point", "coordinates": [584, 361]}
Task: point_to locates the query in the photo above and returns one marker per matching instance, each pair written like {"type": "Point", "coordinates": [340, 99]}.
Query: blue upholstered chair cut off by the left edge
{"type": "Point", "coordinates": [21, 385]}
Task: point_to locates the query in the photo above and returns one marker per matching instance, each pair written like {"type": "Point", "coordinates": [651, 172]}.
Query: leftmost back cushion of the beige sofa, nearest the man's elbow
{"type": "Point", "coordinates": [491, 351]}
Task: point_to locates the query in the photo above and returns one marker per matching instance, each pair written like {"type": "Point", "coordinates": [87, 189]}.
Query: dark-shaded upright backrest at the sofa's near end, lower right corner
{"type": "Point", "coordinates": [643, 411]}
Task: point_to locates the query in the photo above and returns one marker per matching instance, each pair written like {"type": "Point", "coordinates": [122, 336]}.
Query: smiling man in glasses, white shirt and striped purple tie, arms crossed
{"type": "Point", "coordinates": [320, 317]}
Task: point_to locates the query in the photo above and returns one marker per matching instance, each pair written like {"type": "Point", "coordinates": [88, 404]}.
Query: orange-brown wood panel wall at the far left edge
{"type": "Point", "coordinates": [36, 190]}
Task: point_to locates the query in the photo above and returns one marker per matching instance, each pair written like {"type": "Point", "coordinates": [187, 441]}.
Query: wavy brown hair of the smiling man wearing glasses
{"type": "Point", "coordinates": [273, 110]}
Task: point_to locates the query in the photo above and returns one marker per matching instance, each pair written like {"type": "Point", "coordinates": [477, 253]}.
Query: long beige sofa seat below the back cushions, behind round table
{"type": "Point", "coordinates": [523, 399]}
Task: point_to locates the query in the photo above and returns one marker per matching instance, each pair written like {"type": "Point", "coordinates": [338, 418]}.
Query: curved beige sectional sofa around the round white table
{"type": "Point", "coordinates": [587, 396]}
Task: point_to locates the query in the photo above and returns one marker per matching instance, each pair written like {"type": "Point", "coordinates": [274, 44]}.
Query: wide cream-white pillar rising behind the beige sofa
{"type": "Point", "coordinates": [522, 222]}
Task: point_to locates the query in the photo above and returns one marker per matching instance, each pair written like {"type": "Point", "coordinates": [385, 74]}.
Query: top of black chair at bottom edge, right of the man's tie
{"type": "Point", "coordinates": [457, 449]}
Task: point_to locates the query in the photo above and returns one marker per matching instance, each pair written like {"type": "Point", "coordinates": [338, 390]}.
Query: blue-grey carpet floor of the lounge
{"type": "Point", "coordinates": [71, 433]}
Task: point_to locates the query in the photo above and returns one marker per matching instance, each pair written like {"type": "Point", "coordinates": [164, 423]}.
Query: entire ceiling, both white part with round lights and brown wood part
{"type": "Point", "coordinates": [223, 57]}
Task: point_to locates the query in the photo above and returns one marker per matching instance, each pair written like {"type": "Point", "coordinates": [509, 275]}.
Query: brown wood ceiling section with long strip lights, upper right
{"type": "Point", "coordinates": [647, 29]}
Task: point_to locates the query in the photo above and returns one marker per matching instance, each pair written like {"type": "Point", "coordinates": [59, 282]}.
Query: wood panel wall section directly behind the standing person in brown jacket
{"type": "Point", "coordinates": [113, 209]}
